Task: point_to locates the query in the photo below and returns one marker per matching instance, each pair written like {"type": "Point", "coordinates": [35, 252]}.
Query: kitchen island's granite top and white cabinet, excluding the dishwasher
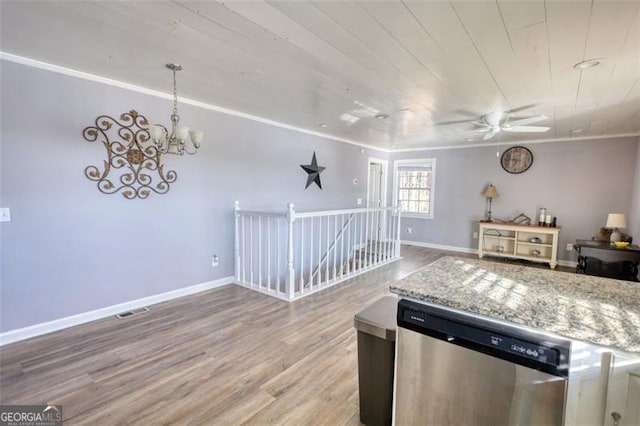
{"type": "Point", "coordinates": [601, 317]}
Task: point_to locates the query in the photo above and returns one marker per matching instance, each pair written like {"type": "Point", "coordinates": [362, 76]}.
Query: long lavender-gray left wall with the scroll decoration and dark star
{"type": "Point", "coordinates": [70, 249]}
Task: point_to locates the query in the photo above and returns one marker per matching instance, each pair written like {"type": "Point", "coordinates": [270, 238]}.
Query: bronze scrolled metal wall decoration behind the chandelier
{"type": "Point", "coordinates": [133, 164]}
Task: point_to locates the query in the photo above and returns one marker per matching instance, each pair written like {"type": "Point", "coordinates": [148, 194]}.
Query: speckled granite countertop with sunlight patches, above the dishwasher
{"type": "Point", "coordinates": [582, 307]}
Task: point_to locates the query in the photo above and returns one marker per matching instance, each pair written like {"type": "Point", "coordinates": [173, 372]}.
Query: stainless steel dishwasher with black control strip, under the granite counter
{"type": "Point", "coordinates": [454, 368]}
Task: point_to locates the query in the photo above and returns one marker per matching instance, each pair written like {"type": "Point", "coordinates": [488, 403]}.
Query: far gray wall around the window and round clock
{"type": "Point", "coordinates": [579, 182]}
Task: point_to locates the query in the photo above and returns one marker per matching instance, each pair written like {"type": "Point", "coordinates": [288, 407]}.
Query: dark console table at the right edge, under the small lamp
{"type": "Point", "coordinates": [605, 260]}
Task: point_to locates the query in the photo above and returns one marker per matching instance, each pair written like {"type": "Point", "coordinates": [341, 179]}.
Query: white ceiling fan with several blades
{"type": "Point", "coordinates": [503, 121]}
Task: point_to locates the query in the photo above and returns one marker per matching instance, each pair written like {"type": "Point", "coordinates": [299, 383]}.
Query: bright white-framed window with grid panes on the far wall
{"type": "Point", "coordinates": [414, 182]}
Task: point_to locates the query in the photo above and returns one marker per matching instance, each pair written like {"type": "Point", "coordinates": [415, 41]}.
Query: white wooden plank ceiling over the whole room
{"type": "Point", "coordinates": [342, 63]}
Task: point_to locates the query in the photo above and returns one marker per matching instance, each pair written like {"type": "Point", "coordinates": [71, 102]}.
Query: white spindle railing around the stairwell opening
{"type": "Point", "coordinates": [292, 254]}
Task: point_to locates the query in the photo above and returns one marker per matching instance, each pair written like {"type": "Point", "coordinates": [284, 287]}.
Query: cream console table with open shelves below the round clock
{"type": "Point", "coordinates": [533, 243]}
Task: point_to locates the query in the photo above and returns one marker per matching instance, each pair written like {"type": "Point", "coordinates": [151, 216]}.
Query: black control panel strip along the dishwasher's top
{"type": "Point", "coordinates": [503, 341]}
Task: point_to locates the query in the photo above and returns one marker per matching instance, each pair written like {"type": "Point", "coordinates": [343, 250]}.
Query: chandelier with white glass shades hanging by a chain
{"type": "Point", "coordinates": [176, 141]}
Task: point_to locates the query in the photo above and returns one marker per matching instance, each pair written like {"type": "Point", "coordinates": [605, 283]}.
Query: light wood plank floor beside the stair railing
{"type": "Point", "coordinates": [227, 356]}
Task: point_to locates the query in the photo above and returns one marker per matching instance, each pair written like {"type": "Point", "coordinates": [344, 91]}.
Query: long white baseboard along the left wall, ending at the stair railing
{"type": "Point", "coordinates": [73, 320]}
